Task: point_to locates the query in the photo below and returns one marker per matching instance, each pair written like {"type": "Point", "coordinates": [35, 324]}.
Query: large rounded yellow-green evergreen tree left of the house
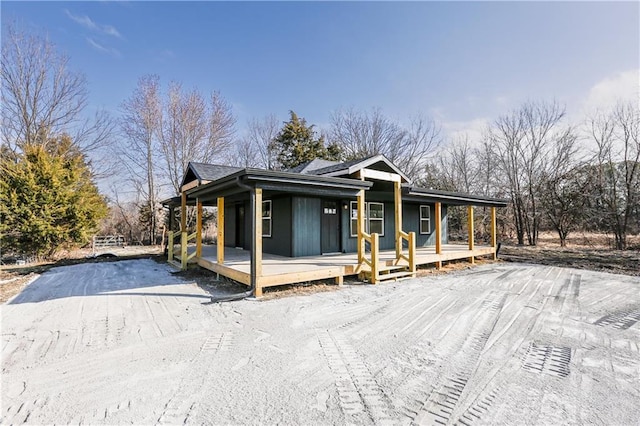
{"type": "Point", "coordinates": [48, 199]}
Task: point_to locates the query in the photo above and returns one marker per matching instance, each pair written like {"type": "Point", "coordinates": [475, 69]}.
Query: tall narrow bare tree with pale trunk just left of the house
{"type": "Point", "coordinates": [141, 124]}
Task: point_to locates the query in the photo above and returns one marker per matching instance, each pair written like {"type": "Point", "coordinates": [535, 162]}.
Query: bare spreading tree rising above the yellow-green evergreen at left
{"type": "Point", "coordinates": [42, 98]}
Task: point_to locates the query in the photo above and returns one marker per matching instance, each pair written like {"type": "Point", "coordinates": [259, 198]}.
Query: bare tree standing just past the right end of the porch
{"type": "Point", "coordinates": [522, 139]}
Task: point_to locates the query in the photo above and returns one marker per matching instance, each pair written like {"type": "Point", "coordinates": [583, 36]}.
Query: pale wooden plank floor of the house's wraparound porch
{"type": "Point", "coordinates": [279, 270]}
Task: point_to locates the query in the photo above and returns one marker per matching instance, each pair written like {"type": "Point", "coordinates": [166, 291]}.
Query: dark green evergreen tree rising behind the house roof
{"type": "Point", "coordinates": [296, 143]}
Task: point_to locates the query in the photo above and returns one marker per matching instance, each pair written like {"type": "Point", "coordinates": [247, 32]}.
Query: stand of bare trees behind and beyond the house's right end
{"type": "Point", "coordinates": [555, 175]}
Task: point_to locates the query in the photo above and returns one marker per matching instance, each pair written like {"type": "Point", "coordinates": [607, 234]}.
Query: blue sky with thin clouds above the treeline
{"type": "Point", "coordinates": [461, 63]}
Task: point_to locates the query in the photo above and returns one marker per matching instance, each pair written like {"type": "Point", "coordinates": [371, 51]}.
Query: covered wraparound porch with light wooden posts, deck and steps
{"type": "Point", "coordinates": [371, 261]}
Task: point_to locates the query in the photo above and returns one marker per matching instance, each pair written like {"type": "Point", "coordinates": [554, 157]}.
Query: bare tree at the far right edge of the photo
{"type": "Point", "coordinates": [617, 166]}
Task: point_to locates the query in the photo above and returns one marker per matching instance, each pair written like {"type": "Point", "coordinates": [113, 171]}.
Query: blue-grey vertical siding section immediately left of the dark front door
{"type": "Point", "coordinates": [306, 226]}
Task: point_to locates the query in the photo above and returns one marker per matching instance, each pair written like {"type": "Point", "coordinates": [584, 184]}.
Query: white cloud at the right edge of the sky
{"type": "Point", "coordinates": [622, 86]}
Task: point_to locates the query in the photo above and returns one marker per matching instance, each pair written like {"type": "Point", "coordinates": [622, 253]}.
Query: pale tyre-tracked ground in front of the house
{"type": "Point", "coordinates": [127, 342]}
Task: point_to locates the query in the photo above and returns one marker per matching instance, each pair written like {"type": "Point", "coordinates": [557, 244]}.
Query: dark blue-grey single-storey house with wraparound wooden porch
{"type": "Point", "coordinates": [320, 220]}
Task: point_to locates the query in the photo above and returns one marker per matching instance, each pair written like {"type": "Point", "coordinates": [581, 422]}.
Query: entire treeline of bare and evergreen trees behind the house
{"type": "Point", "coordinates": [556, 175]}
